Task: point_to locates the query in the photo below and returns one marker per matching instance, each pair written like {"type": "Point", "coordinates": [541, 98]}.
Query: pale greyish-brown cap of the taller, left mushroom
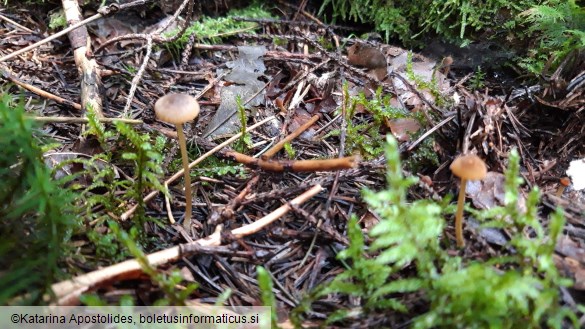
{"type": "Point", "coordinates": [176, 108]}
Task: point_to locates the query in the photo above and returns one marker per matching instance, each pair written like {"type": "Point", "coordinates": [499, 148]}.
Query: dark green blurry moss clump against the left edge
{"type": "Point", "coordinates": [38, 213]}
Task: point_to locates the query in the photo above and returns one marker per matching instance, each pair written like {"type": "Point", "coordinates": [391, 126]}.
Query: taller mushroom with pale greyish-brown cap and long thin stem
{"type": "Point", "coordinates": [178, 109]}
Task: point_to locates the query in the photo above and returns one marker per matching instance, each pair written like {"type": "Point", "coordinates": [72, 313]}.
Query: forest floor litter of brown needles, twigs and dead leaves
{"type": "Point", "coordinates": [294, 74]}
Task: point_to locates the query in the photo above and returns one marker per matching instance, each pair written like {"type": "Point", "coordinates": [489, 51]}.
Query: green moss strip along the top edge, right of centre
{"type": "Point", "coordinates": [454, 20]}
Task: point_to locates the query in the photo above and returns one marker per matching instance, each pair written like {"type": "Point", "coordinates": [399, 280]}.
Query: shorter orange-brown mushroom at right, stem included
{"type": "Point", "coordinates": [466, 167]}
